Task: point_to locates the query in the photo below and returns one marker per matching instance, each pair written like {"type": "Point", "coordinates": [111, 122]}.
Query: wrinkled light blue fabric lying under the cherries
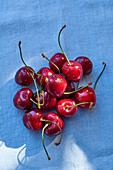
{"type": "Point", "coordinates": [88, 136]}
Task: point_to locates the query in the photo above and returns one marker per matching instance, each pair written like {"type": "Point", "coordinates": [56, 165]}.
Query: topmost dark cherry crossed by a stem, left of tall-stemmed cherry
{"type": "Point", "coordinates": [58, 59]}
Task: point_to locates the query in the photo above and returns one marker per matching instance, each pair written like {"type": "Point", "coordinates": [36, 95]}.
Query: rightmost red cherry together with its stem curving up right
{"type": "Point", "coordinates": [87, 94]}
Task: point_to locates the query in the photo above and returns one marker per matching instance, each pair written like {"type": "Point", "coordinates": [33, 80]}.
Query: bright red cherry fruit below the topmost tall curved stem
{"type": "Point", "coordinates": [72, 72]}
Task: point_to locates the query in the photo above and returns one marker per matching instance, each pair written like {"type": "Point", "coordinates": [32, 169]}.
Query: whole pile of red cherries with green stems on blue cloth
{"type": "Point", "coordinates": [57, 87]}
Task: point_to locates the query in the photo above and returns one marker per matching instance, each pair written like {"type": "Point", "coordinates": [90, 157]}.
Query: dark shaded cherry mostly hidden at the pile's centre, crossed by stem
{"type": "Point", "coordinates": [70, 88]}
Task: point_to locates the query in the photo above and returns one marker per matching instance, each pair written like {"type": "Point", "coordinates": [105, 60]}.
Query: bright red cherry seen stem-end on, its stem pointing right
{"type": "Point", "coordinates": [63, 109]}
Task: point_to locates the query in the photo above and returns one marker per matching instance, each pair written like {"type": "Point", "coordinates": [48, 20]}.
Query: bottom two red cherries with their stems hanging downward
{"type": "Point", "coordinates": [52, 124]}
